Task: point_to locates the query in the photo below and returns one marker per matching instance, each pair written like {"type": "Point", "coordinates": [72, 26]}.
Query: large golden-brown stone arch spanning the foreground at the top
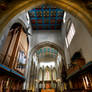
{"type": "Point", "coordinates": [75, 8]}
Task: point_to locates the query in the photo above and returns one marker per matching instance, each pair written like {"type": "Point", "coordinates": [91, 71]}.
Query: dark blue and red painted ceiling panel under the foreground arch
{"type": "Point", "coordinates": [46, 17]}
